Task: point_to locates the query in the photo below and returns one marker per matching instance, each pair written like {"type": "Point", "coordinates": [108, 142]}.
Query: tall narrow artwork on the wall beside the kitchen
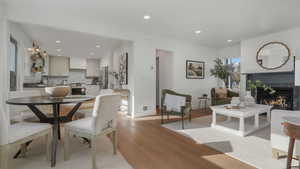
{"type": "Point", "coordinates": [123, 69]}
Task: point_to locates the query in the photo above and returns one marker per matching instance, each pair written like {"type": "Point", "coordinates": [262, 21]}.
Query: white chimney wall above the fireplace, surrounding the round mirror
{"type": "Point", "coordinates": [250, 47]}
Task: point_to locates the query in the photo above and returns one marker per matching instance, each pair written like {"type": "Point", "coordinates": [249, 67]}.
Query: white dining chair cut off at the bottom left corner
{"type": "Point", "coordinates": [18, 135]}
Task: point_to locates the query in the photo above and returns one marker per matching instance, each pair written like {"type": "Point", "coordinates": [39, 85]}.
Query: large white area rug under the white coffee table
{"type": "Point", "coordinates": [254, 149]}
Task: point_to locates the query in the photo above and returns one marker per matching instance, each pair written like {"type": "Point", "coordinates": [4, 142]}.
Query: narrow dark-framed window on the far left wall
{"type": "Point", "coordinates": [13, 60]}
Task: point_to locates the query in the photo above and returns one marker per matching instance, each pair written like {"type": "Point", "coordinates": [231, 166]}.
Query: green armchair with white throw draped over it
{"type": "Point", "coordinates": [184, 108]}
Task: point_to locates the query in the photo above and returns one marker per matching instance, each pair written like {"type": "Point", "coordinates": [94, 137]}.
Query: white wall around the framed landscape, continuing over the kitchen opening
{"type": "Point", "coordinates": [144, 53]}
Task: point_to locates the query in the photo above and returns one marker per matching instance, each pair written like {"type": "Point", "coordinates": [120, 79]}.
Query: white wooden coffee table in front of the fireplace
{"type": "Point", "coordinates": [240, 126]}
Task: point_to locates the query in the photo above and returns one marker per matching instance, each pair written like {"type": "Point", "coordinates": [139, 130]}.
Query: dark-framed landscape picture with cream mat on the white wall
{"type": "Point", "coordinates": [195, 69]}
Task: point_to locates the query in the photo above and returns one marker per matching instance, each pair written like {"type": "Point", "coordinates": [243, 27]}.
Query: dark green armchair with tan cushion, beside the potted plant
{"type": "Point", "coordinates": [219, 100]}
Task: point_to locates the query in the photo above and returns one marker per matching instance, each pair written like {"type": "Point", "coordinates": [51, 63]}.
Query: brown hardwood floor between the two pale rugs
{"type": "Point", "coordinates": [147, 145]}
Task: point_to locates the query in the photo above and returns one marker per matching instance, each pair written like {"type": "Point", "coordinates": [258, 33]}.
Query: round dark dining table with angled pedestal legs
{"type": "Point", "coordinates": [56, 118]}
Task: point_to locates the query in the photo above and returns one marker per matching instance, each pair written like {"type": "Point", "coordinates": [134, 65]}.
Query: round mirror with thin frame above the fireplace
{"type": "Point", "coordinates": [273, 55]}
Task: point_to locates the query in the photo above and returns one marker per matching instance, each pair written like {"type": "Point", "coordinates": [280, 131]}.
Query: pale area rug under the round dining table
{"type": "Point", "coordinates": [80, 156]}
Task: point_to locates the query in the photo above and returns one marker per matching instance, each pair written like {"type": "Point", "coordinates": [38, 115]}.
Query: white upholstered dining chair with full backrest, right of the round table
{"type": "Point", "coordinates": [102, 122]}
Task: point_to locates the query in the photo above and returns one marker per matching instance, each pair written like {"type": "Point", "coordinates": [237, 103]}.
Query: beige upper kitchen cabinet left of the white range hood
{"type": "Point", "coordinates": [59, 66]}
